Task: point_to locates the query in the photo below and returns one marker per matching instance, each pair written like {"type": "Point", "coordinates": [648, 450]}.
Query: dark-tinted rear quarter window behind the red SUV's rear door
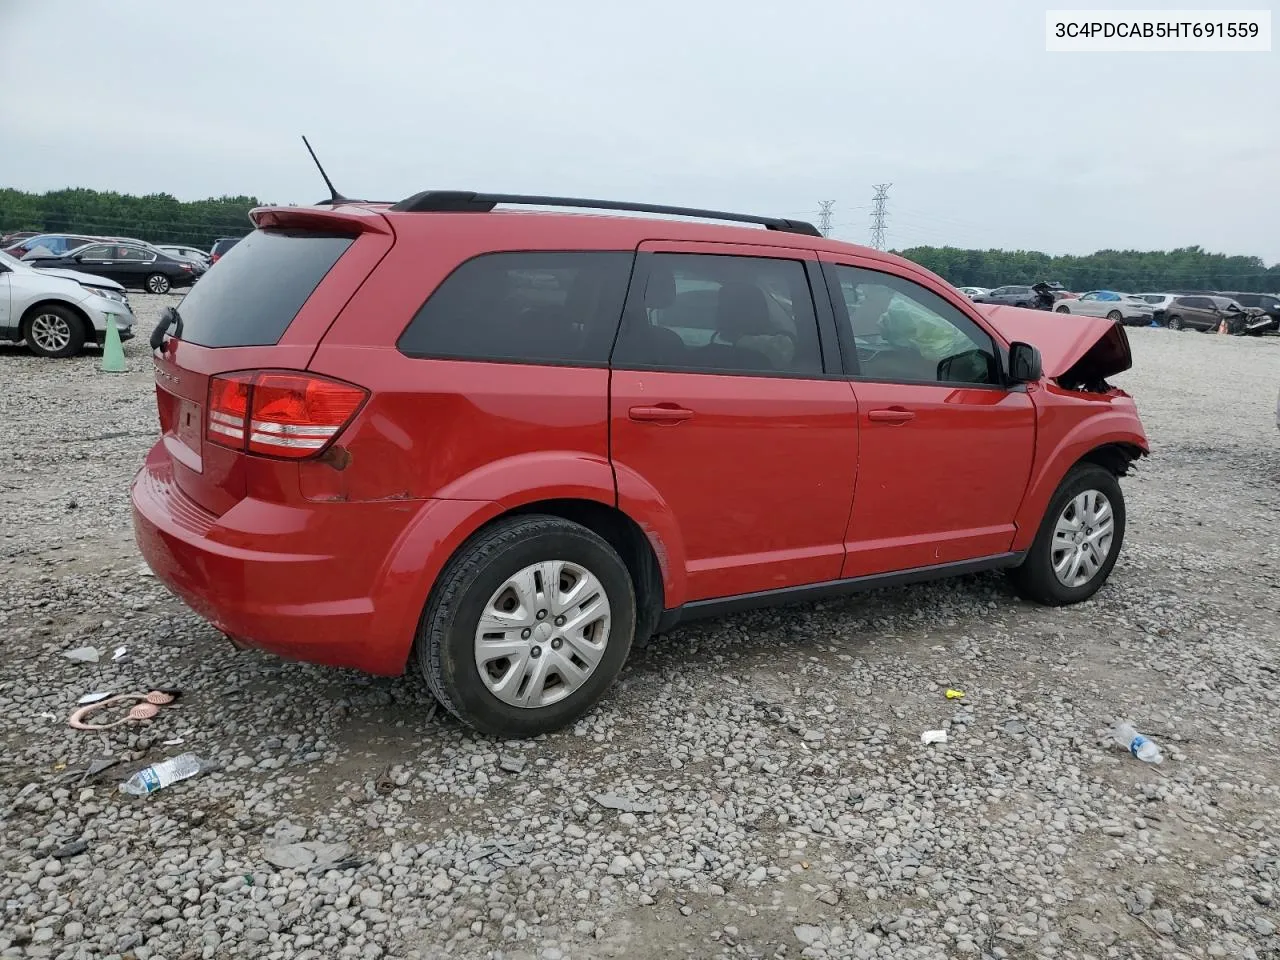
{"type": "Point", "coordinates": [536, 308]}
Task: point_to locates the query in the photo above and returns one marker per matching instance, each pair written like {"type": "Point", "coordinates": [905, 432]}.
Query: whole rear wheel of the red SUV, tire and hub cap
{"type": "Point", "coordinates": [528, 627]}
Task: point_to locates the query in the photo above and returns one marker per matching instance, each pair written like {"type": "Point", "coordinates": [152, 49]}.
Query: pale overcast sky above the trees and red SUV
{"type": "Point", "coordinates": [748, 106]}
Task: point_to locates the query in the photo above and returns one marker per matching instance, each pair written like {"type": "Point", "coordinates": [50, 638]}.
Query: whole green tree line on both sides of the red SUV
{"type": "Point", "coordinates": [162, 218]}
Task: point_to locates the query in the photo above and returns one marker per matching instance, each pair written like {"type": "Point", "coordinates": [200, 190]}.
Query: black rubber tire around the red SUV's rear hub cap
{"type": "Point", "coordinates": [447, 636]}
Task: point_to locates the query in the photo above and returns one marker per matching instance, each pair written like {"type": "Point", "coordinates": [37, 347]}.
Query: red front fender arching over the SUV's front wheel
{"type": "Point", "coordinates": [1062, 452]}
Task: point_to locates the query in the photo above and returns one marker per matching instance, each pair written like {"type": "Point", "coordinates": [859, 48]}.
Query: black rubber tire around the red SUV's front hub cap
{"type": "Point", "coordinates": [1036, 579]}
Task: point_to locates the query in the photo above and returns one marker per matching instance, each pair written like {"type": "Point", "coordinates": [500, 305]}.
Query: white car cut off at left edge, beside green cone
{"type": "Point", "coordinates": [58, 312]}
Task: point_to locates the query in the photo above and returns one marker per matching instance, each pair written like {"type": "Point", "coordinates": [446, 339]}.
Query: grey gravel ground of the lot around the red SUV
{"type": "Point", "coordinates": [785, 804]}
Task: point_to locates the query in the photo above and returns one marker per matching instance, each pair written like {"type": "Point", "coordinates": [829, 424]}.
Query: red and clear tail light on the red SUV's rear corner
{"type": "Point", "coordinates": [280, 414]}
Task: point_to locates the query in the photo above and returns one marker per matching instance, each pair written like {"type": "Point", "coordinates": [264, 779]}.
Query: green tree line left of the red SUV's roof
{"type": "Point", "coordinates": [158, 218]}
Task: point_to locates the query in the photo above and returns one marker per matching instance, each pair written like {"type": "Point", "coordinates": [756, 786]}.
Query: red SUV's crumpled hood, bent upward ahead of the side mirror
{"type": "Point", "coordinates": [1080, 348]}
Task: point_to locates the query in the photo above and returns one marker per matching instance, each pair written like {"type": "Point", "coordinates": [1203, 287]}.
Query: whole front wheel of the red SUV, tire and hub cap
{"type": "Point", "coordinates": [1078, 542]}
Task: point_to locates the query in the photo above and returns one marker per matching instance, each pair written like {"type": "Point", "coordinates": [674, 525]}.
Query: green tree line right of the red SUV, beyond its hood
{"type": "Point", "coordinates": [1127, 271]}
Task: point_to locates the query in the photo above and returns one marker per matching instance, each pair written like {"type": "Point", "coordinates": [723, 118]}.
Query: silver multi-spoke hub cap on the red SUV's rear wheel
{"type": "Point", "coordinates": [542, 634]}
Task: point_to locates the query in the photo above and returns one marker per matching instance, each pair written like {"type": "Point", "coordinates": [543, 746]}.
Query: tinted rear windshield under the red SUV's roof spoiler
{"type": "Point", "coordinates": [259, 287]}
